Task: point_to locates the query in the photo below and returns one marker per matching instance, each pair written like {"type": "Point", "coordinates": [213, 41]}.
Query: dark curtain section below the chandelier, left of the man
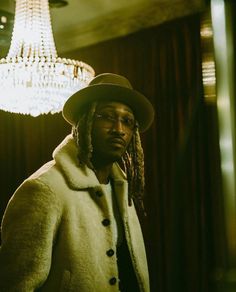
{"type": "Point", "coordinates": [26, 143]}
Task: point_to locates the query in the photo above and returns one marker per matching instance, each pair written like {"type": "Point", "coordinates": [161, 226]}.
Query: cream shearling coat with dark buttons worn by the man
{"type": "Point", "coordinates": [53, 236]}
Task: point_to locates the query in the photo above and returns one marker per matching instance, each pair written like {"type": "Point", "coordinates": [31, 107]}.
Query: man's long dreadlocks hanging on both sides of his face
{"type": "Point", "coordinates": [132, 161]}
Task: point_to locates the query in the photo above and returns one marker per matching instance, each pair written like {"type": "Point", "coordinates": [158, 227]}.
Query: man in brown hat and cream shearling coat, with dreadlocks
{"type": "Point", "coordinates": [72, 225]}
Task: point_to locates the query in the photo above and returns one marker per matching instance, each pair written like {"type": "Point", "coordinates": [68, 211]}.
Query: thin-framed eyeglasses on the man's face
{"type": "Point", "coordinates": [108, 120]}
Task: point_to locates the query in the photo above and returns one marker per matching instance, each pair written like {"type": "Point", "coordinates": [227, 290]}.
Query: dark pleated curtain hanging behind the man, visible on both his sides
{"type": "Point", "coordinates": [181, 149]}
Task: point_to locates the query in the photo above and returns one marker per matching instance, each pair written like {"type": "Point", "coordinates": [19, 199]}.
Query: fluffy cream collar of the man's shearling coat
{"type": "Point", "coordinates": [66, 157]}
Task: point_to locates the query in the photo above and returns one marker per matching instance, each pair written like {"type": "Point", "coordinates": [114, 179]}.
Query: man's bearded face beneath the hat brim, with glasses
{"type": "Point", "coordinates": [112, 131]}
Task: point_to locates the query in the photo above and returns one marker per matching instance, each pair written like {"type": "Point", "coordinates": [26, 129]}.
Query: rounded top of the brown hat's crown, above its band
{"type": "Point", "coordinates": [110, 78]}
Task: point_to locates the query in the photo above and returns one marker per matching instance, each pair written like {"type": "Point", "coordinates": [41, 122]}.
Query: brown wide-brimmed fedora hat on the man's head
{"type": "Point", "coordinates": [109, 87]}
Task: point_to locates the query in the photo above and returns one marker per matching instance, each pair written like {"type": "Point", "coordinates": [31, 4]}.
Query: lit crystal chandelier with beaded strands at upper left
{"type": "Point", "coordinates": [33, 79]}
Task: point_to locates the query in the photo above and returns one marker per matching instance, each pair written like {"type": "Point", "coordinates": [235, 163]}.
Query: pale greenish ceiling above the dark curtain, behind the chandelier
{"type": "Point", "coordinates": [82, 22]}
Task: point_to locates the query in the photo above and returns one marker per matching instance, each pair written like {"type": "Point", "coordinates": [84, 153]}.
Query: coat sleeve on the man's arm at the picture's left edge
{"type": "Point", "coordinates": [28, 232]}
